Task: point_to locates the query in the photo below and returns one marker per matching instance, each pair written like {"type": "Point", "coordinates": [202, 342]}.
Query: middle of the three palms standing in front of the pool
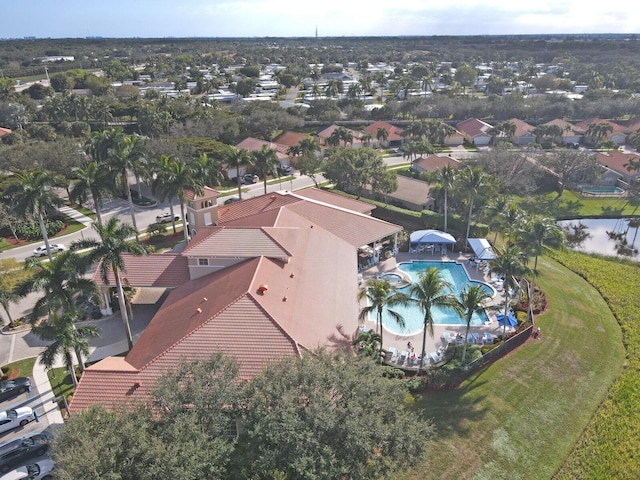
{"type": "Point", "coordinates": [429, 291]}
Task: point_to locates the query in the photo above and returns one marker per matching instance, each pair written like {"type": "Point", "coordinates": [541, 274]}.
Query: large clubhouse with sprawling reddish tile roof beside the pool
{"type": "Point", "coordinates": [274, 277]}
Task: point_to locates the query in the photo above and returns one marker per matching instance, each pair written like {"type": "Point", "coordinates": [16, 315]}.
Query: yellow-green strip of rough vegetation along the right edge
{"type": "Point", "coordinates": [609, 446]}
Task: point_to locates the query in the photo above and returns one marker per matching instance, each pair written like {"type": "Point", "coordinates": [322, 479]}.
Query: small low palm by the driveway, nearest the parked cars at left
{"type": "Point", "coordinates": [65, 337]}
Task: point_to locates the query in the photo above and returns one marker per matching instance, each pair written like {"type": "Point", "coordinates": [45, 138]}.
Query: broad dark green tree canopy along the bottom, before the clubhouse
{"type": "Point", "coordinates": [318, 417]}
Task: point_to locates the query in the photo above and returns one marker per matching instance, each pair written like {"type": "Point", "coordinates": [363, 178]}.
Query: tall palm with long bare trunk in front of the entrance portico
{"type": "Point", "coordinates": [114, 242]}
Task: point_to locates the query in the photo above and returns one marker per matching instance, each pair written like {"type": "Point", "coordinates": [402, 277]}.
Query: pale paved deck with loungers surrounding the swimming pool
{"type": "Point", "coordinates": [433, 343]}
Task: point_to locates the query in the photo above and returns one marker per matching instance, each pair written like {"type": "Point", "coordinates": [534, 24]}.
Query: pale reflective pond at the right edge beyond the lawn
{"type": "Point", "coordinates": [604, 236]}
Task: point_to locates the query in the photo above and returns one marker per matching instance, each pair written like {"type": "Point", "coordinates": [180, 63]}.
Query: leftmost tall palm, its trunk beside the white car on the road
{"type": "Point", "coordinates": [31, 194]}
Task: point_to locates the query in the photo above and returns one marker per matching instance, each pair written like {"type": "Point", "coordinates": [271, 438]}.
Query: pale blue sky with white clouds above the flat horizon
{"type": "Point", "coordinates": [288, 18]}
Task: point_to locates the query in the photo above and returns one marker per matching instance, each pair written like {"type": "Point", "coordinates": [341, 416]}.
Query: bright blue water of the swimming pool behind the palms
{"type": "Point", "coordinates": [452, 272]}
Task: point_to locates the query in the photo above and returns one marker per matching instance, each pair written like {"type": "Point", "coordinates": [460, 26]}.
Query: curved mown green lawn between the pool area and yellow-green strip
{"type": "Point", "coordinates": [522, 416]}
